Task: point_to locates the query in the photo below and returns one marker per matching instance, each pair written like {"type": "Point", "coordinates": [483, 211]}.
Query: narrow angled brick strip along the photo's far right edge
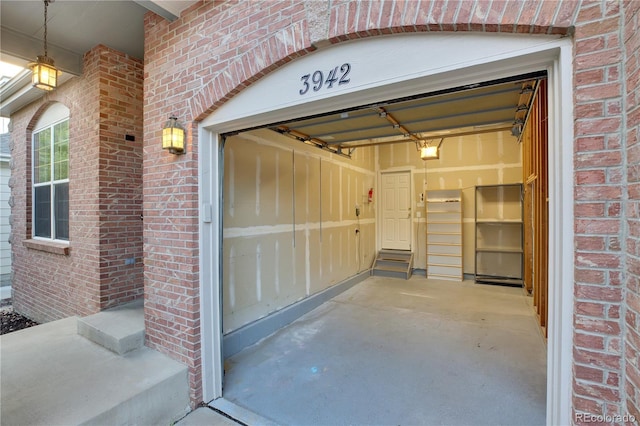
{"type": "Point", "coordinates": [631, 39]}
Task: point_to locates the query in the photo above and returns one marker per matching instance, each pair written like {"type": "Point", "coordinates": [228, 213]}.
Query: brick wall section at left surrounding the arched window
{"type": "Point", "coordinates": [105, 104]}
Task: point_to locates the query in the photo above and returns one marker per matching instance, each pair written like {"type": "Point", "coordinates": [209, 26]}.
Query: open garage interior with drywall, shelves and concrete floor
{"type": "Point", "coordinates": [299, 222]}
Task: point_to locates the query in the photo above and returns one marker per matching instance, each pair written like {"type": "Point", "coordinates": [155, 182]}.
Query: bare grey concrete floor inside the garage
{"type": "Point", "coordinates": [396, 352]}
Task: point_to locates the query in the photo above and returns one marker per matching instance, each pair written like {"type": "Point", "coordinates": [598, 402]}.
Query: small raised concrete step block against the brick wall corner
{"type": "Point", "coordinates": [120, 329]}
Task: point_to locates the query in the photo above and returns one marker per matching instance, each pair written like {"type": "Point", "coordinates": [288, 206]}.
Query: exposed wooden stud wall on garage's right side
{"type": "Point", "coordinates": [535, 177]}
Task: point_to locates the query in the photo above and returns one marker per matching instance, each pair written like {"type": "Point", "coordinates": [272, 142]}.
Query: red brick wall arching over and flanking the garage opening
{"type": "Point", "coordinates": [196, 63]}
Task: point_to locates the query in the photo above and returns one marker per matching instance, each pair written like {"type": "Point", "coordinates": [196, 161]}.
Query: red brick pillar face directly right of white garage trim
{"type": "Point", "coordinates": [598, 290]}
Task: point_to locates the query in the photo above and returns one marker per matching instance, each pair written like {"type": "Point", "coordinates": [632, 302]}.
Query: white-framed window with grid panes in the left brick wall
{"type": "Point", "coordinates": [51, 181]}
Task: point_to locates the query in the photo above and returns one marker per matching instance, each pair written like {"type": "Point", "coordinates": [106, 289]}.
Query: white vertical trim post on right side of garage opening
{"type": "Point", "coordinates": [561, 252]}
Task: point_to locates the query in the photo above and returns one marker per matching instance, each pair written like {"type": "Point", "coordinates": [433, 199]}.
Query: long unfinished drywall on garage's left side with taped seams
{"type": "Point", "coordinates": [290, 224]}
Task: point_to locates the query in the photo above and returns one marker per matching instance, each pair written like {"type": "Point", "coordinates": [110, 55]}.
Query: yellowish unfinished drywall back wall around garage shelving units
{"type": "Point", "coordinates": [465, 161]}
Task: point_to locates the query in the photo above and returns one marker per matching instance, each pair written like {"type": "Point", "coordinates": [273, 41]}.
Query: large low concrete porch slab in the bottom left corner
{"type": "Point", "coordinates": [53, 376]}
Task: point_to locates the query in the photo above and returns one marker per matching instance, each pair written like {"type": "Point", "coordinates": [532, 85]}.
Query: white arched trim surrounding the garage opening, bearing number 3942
{"type": "Point", "coordinates": [531, 53]}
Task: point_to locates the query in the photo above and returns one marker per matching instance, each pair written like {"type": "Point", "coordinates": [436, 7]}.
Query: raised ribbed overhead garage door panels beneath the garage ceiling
{"type": "Point", "coordinates": [490, 107]}
